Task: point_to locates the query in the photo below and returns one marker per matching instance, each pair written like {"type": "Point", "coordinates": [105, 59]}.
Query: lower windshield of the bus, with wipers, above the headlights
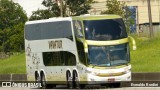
{"type": "Point", "coordinates": [108, 55]}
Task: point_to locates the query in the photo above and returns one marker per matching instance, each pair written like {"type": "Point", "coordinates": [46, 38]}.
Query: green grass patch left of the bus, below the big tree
{"type": "Point", "coordinates": [15, 64]}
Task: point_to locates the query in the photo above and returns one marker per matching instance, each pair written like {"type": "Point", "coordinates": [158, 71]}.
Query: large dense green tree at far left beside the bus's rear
{"type": "Point", "coordinates": [12, 19]}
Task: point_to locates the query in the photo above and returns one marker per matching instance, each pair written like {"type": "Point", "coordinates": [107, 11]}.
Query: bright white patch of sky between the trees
{"type": "Point", "coordinates": [30, 5]}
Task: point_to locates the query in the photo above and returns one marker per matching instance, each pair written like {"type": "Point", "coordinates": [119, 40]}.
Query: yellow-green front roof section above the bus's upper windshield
{"type": "Point", "coordinates": [96, 17]}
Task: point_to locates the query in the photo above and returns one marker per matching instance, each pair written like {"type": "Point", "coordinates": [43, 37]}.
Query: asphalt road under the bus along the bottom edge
{"type": "Point", "coordinates": [133, 86]}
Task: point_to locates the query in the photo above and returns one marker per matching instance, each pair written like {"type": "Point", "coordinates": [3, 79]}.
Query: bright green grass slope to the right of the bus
{"type": "Point", "coordinates": [147, 56]}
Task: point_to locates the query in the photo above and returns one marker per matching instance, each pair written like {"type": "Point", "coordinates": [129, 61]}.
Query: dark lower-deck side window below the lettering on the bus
{"type": "Point", "coordinates": [61, 58]}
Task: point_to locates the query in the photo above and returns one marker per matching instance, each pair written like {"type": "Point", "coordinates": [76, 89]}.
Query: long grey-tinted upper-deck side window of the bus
{"type": "Point", "coordinates": [49, 30]}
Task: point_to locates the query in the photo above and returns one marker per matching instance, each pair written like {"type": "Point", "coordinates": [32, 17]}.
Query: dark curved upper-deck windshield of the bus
{"type": "Point", "coordinates": [107, 29]}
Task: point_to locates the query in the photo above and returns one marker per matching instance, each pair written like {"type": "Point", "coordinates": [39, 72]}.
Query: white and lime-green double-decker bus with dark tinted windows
{"type": "Point", "coordinates": [80, 50]}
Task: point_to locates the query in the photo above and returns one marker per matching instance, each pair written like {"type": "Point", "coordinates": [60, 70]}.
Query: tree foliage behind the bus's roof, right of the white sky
{"type": "Point", "coordinates": [69, 8]}
